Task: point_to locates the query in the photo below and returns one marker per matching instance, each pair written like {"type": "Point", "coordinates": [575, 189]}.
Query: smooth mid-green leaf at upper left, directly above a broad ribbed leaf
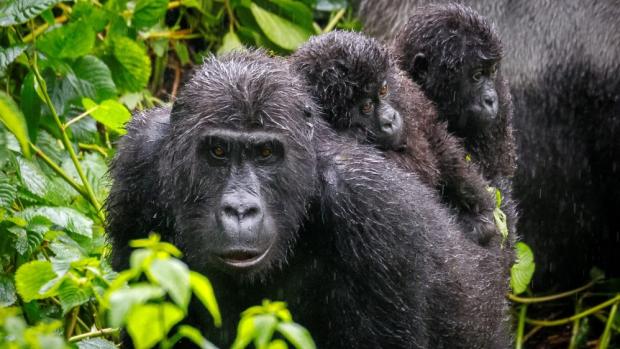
{"type": "Point", "coordinates": [68, 41]}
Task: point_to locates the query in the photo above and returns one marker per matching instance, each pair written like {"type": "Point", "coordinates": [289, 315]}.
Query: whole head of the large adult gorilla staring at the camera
{"type": "Point", "coordinates": [241, 164]}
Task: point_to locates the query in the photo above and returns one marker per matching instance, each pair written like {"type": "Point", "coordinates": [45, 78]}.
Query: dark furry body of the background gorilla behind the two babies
{"type": "Point", "coordinates": [563, 63]}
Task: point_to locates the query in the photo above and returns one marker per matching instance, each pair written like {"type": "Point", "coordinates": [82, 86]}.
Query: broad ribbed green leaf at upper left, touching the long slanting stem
{"type": "Point", "coordinates": [92, 79]}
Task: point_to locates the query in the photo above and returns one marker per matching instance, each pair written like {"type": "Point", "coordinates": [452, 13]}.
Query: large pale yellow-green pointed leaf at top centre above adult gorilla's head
{"type": "Point", "coordinates": [279, 30]}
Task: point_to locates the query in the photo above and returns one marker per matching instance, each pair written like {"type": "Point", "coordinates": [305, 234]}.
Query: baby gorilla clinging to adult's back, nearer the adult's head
{"type": "Point", "coordinates": [364, 95]}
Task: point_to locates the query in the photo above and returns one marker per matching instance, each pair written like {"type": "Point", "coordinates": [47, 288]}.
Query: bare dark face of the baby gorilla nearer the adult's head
{"type": "Point", "coordinates": [373, 119]}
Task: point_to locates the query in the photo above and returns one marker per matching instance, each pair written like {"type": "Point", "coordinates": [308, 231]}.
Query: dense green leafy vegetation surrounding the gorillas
{"type": "Point", "coordinates": [70, 73]}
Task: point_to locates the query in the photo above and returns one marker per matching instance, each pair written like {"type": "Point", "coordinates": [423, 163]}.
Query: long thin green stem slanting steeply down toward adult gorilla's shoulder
{"type": "Point", "coordinates": [90, 195]}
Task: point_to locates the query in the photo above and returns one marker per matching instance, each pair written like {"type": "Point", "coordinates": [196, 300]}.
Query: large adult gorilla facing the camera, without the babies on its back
{"type": "Point", "coordinates": [270, 203]}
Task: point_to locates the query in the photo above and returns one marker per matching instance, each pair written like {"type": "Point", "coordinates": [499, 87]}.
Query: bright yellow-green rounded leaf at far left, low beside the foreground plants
{"type": "Point", "coordinates": [31, 277]}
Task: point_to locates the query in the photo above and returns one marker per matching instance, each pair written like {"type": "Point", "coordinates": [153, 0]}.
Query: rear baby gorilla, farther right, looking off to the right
{"type": "Point", "coordinates": [454, 54]}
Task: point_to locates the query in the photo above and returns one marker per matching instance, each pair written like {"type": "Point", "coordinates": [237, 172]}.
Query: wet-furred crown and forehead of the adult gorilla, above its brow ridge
{"type": "Point", "coordinates": [245, 90]}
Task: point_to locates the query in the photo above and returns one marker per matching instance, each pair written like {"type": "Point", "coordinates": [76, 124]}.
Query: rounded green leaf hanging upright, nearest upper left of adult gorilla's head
{"type": "Point", "coordinates": [131, 66]}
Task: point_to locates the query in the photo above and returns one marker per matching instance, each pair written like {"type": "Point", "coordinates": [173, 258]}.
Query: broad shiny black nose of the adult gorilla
{"type": "Point", "coordinates": [243, 210]}
